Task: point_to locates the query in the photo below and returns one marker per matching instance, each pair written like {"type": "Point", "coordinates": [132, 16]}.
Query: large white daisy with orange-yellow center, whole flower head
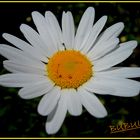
{"type": "Point", "coordinates": [68, 68]}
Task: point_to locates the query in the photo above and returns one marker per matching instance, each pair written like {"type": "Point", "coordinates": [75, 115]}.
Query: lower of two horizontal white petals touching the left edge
{"type": "Point", "coordinates": [19, 79]}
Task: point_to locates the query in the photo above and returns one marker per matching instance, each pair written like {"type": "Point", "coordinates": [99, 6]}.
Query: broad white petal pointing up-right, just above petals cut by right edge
{"type": "Point", "coordinates": [115, 57]}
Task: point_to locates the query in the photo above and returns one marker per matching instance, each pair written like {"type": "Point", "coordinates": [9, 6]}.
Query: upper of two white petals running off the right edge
{"type": "Point", "coordinates": [124, 72]}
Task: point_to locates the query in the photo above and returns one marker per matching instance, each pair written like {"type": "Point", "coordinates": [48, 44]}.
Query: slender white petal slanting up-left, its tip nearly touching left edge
{"type": "Point", "coordinates": [28, 49]}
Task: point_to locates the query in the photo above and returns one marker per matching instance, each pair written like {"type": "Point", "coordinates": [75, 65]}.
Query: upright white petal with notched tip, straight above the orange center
{"type": "Point", "coordinates": [68, 30]}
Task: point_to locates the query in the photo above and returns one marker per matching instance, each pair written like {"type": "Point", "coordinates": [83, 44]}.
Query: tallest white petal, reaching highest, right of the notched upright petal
{"type": "Point", "coordinates": [84, 28]}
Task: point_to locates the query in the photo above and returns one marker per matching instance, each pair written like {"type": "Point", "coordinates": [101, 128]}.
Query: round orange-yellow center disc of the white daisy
{"type": "Point", "coordinates": [69, 69]}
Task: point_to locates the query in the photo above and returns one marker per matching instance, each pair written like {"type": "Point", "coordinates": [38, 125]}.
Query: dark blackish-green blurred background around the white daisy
{"type": "Point", "coordinates": [19, 118]}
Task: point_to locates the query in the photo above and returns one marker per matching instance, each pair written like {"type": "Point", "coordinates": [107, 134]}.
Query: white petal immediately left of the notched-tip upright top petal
{"type": "Point", "coordinates": [55, 28]}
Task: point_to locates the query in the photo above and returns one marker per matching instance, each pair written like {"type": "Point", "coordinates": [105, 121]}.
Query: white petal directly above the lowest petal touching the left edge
{"type": "Point", "coordinates": [23, 68]}
